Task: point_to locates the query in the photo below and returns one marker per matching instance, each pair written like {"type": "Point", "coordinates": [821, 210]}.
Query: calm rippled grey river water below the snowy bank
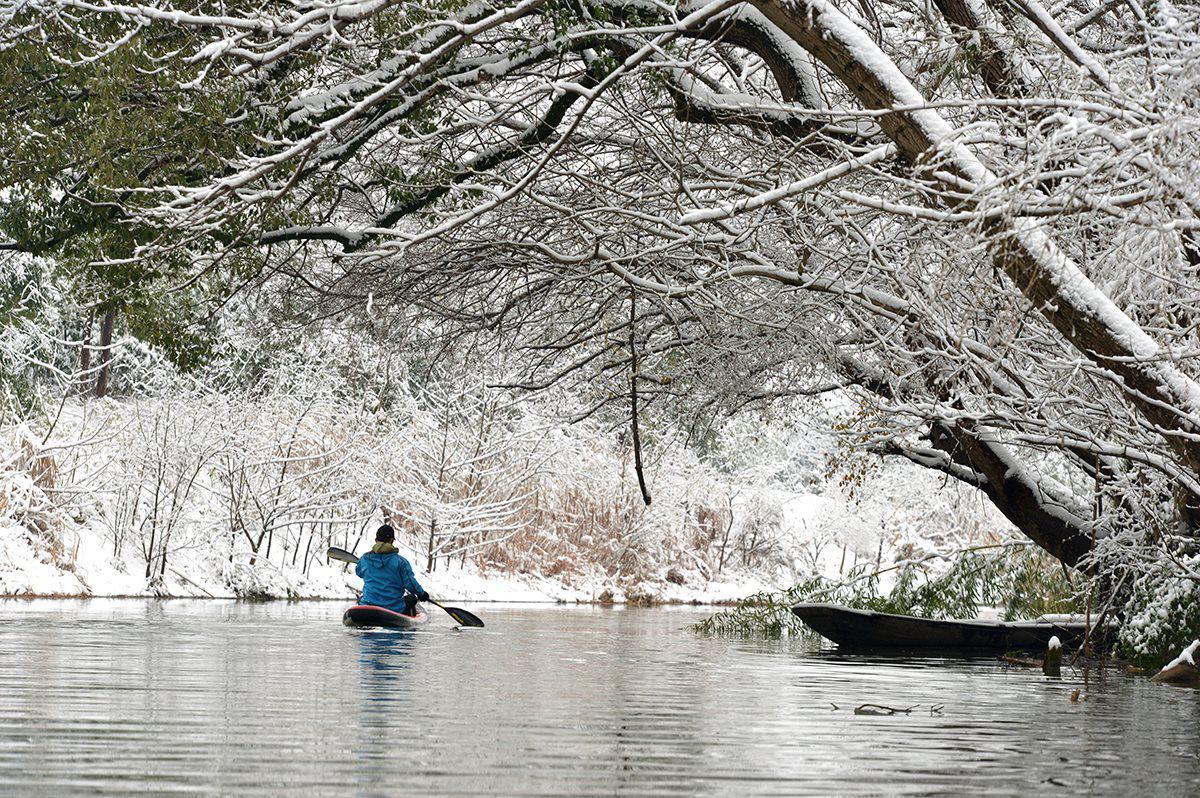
{"type": "Point", "coordinates": [214, 698]}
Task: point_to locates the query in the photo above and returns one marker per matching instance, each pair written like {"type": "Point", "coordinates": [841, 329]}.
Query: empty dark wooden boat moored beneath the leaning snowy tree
{"type": "Point", "coordinates": [865, 629]}
